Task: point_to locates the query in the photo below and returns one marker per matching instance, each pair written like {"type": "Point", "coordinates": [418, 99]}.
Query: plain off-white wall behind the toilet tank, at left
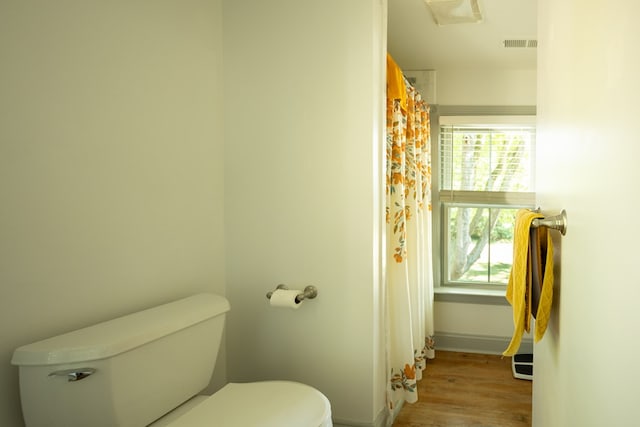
{"type": "Point", "coordinates": [111, 165]}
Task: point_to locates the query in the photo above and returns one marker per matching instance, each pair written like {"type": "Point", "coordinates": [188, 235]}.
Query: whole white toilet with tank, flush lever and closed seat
{"type": "Point", "coordinates": [147, 369]}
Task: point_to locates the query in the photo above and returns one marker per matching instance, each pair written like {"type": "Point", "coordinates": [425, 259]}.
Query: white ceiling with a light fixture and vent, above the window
{"type": "Point", "coordinates": [416, 42]}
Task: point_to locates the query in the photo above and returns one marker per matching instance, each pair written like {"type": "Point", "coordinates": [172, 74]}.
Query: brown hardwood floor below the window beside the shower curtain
{"type": "Point", "coordinates": [464, 390]}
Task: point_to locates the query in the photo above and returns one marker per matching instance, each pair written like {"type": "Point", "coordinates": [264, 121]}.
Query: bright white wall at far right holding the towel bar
{"type": "Point", "coordinates": [588, 89]}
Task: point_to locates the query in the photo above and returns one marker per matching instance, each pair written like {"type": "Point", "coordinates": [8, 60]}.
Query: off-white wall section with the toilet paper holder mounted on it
{"type": "Point", "coordinates": [303, 95]}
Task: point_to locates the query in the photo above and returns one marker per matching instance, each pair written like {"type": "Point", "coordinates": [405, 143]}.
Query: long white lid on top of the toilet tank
{"type": "Point", "coordinates": [116, 336]}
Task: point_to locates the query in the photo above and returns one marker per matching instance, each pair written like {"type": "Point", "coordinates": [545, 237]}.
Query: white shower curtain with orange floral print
{"type": "Point", "coordinates": [409, 278]}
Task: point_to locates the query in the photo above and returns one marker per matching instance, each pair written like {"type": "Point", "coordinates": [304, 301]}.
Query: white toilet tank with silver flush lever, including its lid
{"type": "Point", "coordinates": [124, 372]}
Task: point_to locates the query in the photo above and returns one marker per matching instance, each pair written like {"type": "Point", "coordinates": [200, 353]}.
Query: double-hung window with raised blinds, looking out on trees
{"type": "Point", "coordinates": [486, 173]}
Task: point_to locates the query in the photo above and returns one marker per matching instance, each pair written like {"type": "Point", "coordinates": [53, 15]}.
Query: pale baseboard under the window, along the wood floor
{"type": "Point", "coordinates": [485, 344]}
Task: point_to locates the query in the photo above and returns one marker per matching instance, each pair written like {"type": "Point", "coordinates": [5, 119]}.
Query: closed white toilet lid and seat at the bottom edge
{"type": "Point", "coordinates": [260, 404]}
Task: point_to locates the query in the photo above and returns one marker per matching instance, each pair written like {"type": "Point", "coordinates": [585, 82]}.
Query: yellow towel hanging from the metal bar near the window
{"type": "Point", "coordinates": [519, 287]}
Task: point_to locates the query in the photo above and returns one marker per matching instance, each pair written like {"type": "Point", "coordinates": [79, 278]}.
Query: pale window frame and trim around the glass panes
{"type": "Point", "coordinates": [498, 115]}
